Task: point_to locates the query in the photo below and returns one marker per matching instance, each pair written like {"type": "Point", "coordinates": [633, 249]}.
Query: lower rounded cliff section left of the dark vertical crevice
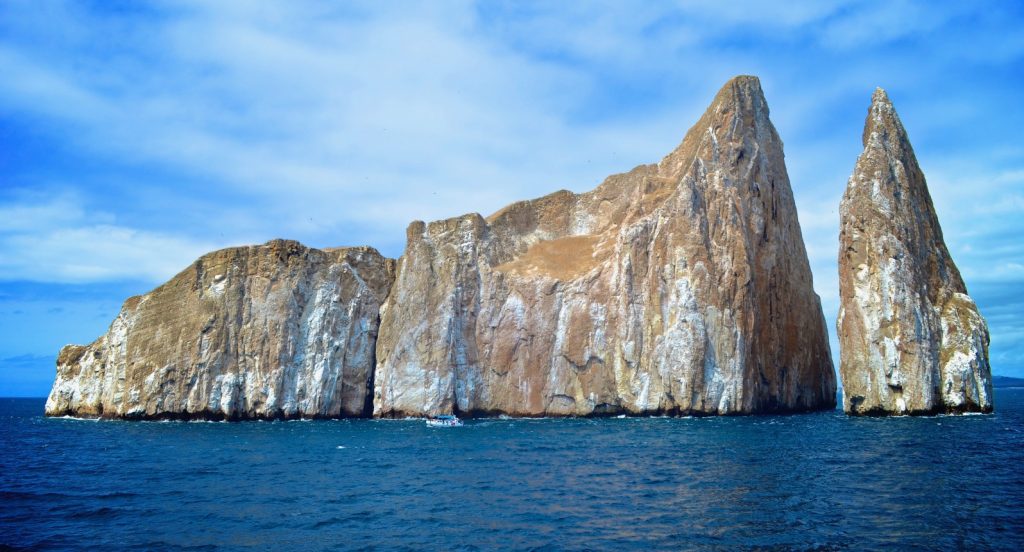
{"type": "Point", "coordinates": [272, 331]}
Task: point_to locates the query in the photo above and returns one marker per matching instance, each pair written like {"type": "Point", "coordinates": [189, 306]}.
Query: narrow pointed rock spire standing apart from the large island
{"type": "Point", "coordinates": [912, 341]}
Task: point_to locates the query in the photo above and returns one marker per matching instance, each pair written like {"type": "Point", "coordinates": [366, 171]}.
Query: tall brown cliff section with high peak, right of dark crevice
{"type": "Point", "coordinates": [676, 288]}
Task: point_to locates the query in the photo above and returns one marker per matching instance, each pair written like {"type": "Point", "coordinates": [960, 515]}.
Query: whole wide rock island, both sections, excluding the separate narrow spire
{"type": "Point", "coordinates": [677, 288]}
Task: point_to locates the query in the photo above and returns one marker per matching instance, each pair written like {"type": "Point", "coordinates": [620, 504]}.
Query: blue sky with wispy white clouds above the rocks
{"type": "Point", "coordinates": [136, 137]}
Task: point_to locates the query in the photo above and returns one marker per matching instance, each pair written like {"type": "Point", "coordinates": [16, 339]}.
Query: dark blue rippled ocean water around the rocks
{"type": "Point", "coordinates": [817, 482]}
